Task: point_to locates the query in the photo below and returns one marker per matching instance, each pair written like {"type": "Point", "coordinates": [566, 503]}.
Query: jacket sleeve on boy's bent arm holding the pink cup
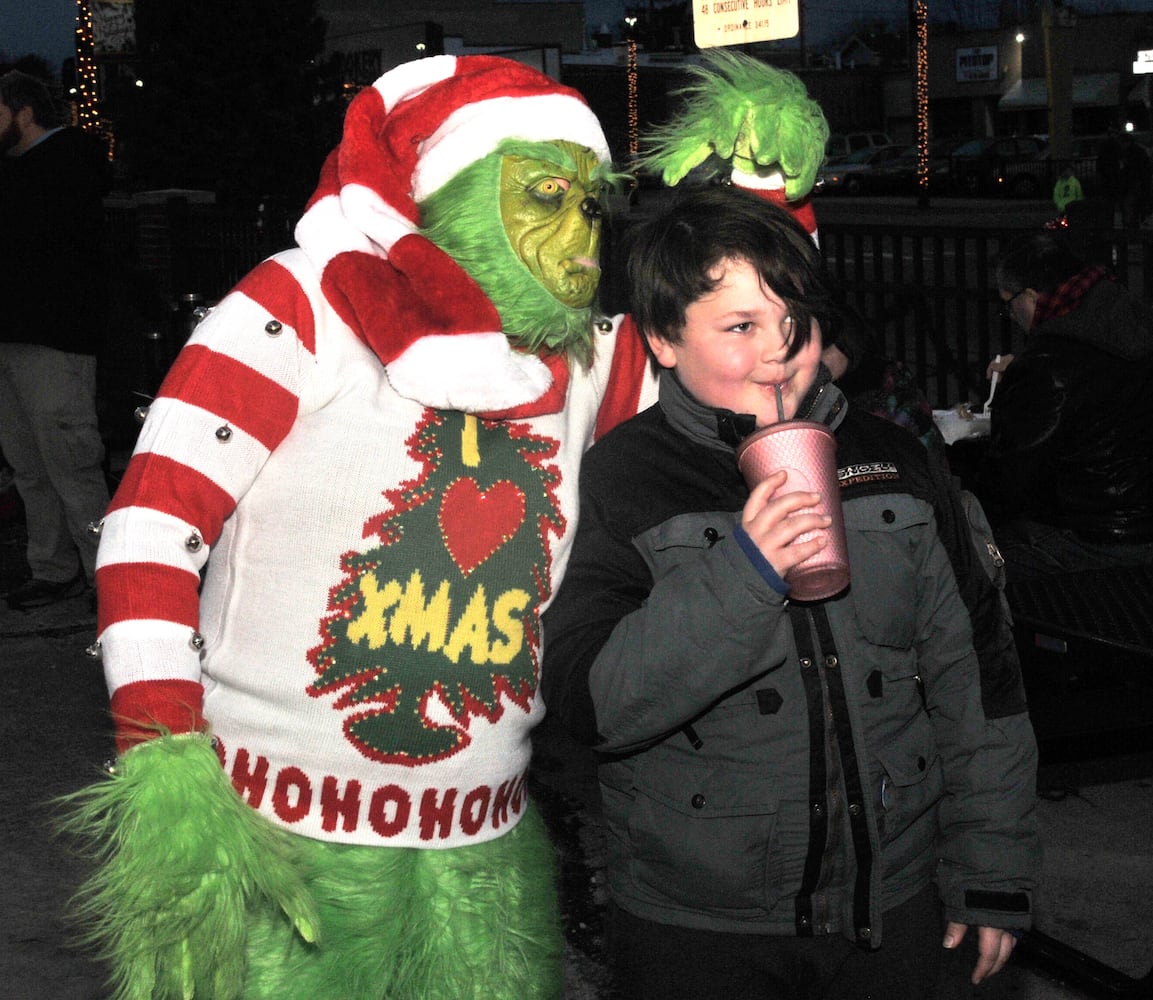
{"type": "Point", "coordinates": [626, 640]}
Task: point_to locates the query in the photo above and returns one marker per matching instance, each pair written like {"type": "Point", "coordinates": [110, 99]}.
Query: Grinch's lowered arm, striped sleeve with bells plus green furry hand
{"type": "Point", "coordinates": [175, 885]}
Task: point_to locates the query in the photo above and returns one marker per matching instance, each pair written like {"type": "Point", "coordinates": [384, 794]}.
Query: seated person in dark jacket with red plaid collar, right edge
{"type": "Point", "coordinates": [1068, 480]}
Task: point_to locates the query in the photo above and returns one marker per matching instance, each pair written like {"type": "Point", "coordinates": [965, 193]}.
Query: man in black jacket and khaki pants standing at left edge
{"type": "Point", "coordinates": [52, 283]}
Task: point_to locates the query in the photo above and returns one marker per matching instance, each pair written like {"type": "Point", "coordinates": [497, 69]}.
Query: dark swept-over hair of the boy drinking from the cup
{"type": "Point", "coordinates": [673, 257]}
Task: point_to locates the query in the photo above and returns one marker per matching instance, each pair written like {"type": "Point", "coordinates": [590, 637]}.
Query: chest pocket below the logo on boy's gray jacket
{"type": "Point", "coordinates": [884, 536]}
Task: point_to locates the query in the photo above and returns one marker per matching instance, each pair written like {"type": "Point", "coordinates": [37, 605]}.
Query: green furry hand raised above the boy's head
{"type": "Point", "coordinates": [758, 118]}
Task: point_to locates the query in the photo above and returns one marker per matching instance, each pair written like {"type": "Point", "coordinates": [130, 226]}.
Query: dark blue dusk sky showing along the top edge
{"type": "Point", "coordinates": [47, 27]}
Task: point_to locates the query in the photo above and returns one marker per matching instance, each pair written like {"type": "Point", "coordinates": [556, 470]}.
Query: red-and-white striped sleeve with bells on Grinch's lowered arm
{"type": "Point", "coordinates": [229, 401]}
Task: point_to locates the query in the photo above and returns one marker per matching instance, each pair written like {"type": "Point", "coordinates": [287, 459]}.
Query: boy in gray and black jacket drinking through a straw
{"type": "Point", "coordinates": [782, 783]}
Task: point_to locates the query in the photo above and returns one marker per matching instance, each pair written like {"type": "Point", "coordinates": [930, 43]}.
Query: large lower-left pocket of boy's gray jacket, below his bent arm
{"type": "Point", "coordinates": [704, 837]}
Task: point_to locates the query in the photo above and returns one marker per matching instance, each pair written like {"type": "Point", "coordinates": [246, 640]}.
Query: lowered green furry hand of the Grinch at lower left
{"type": "Point", "coordinates": [180, 860]}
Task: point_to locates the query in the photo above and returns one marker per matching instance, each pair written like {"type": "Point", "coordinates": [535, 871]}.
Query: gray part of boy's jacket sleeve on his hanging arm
{"type": "Point", "coordinates": [990, 854]}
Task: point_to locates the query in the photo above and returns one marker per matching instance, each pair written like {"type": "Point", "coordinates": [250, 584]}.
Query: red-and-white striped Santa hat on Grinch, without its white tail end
{"type": "Point", "coordinates": [404, 139]}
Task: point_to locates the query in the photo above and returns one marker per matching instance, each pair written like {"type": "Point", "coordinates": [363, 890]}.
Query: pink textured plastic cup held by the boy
{"type": "Point", "coordinates": [809, 453]}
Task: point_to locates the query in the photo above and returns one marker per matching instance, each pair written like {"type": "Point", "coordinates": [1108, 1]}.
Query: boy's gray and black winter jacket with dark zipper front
{"type": "Point", "coordinates": [778, 768]}
